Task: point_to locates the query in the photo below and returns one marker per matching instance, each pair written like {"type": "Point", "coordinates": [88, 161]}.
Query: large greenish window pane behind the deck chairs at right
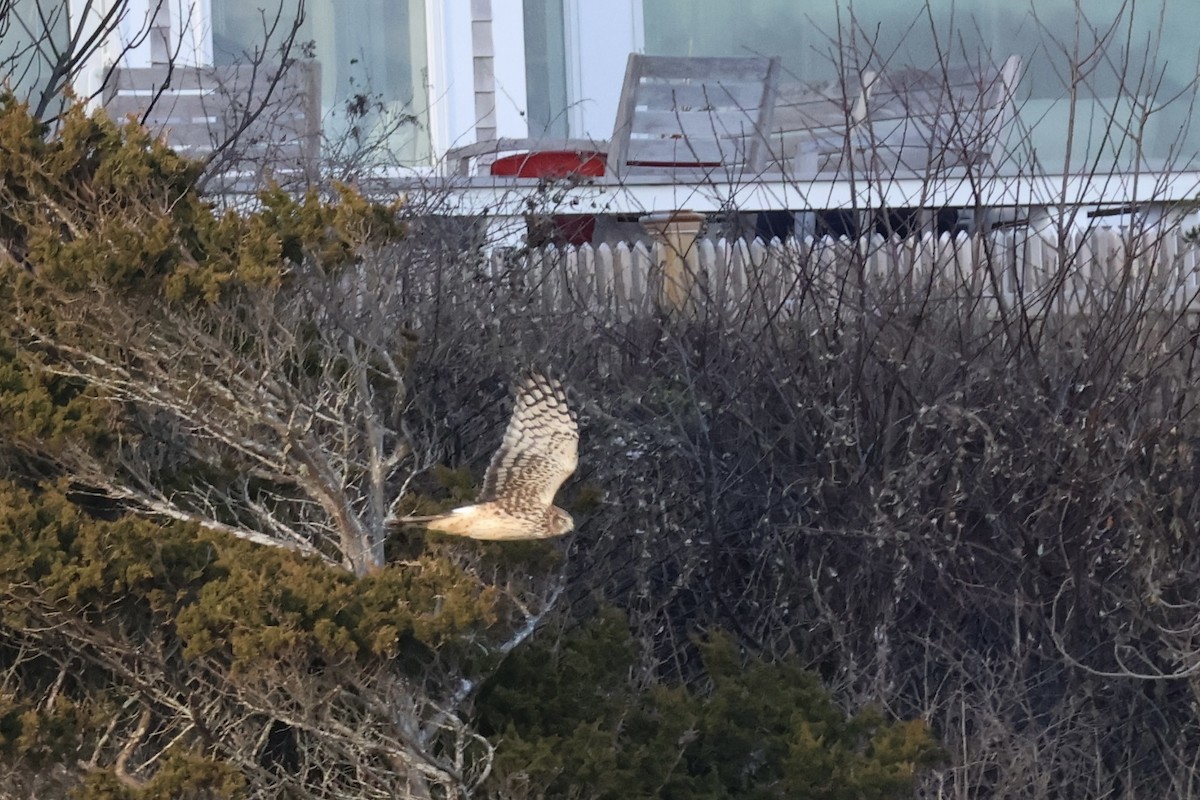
{"type": "Point", "coordinates": [1130, 104]}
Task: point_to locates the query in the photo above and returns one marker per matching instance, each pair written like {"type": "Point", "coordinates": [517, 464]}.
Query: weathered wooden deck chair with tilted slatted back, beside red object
{"type": "Point", "coordinates": [675, 113]}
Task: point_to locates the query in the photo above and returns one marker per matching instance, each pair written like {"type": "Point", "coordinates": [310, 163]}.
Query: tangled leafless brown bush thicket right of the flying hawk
{"type": "Point", "coordinates": [971, 510]}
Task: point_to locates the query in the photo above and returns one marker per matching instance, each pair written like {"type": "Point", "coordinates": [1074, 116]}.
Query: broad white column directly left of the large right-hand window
{"type": "Point", "coordinates": [599, 39]}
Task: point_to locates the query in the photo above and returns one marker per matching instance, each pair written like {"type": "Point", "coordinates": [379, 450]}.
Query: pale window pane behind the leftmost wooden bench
{"type": "Point", "coordinates": [374, 62]}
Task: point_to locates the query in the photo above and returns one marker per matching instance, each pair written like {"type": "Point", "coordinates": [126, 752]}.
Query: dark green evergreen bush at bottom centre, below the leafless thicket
{"type": "Point", "coordinates": [573, 720]}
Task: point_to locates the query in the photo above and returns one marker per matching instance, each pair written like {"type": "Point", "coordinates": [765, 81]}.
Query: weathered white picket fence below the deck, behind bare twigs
{"type": "Point", "coordinates": [1003, 272]}
